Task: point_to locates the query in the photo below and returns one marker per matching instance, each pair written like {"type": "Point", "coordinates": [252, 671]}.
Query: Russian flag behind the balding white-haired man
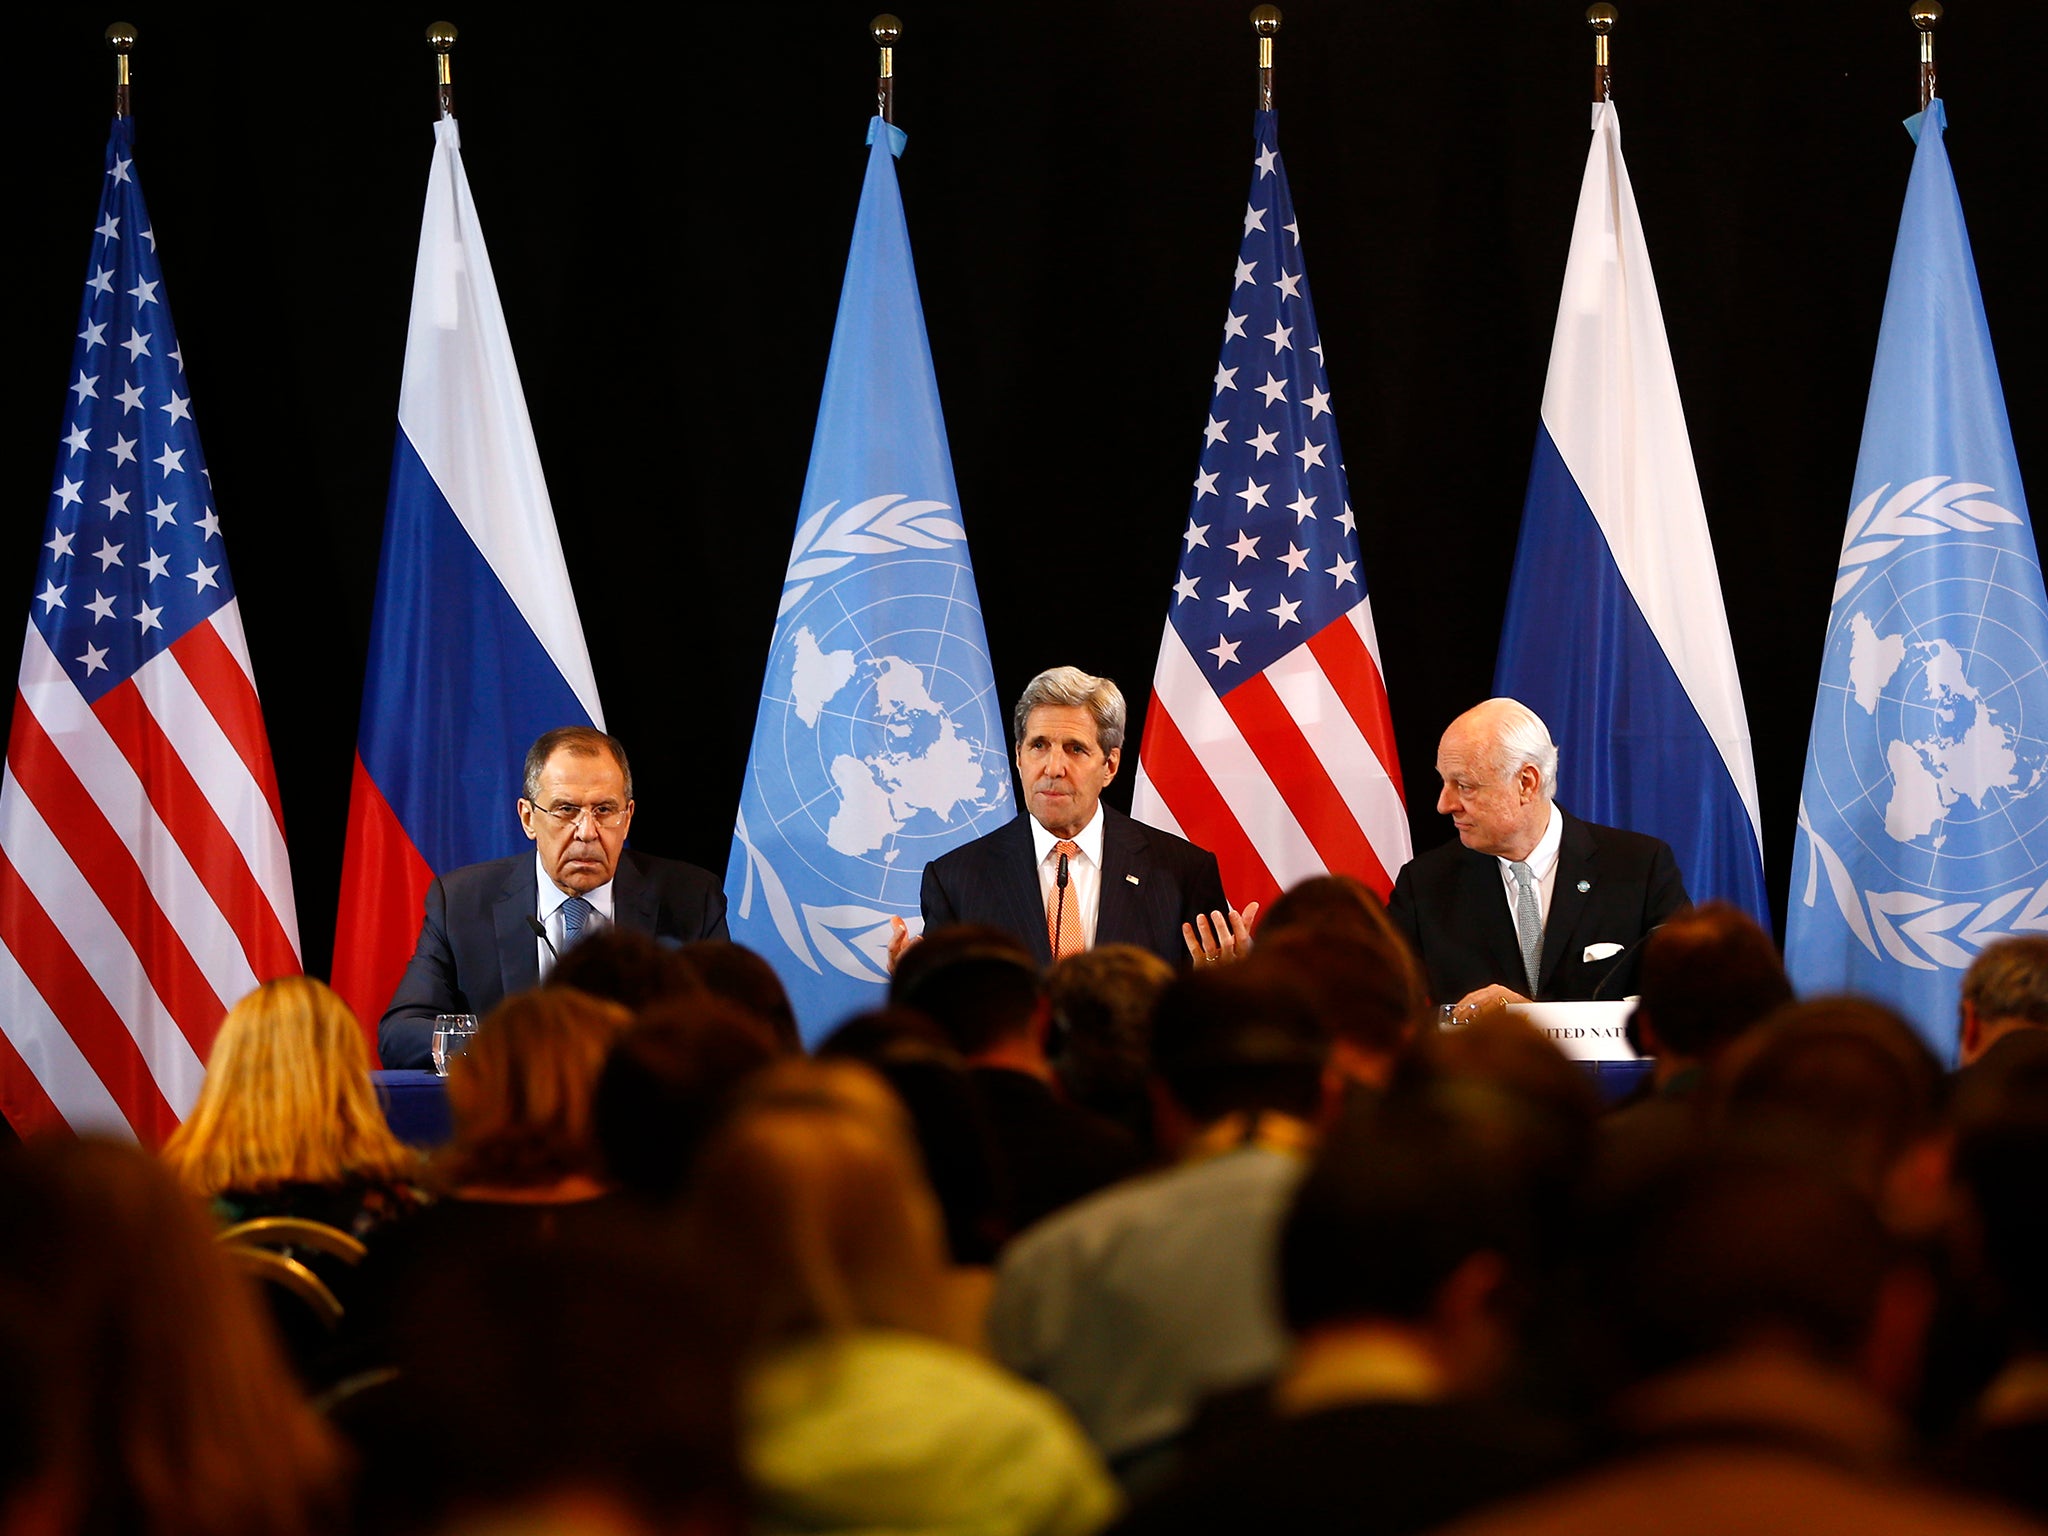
{"type": "Point", "coordinates": [1615, 630]}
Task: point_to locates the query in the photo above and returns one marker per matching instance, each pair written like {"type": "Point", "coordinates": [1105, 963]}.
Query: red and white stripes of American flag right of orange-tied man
{"type": "Point", "coordinates": [1289, 775]}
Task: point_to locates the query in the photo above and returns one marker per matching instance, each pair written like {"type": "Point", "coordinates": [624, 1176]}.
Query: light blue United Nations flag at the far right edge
{"type": "Point", "coordinates": [1924, 818]}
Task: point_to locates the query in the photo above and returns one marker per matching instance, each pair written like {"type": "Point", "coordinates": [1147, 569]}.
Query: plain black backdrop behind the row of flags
{"type": "Point", "coordinates": [669, 200]}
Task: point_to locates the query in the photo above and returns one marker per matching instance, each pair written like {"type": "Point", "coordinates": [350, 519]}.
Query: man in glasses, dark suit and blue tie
{"type": "Point", "coordinates": [490, 927]}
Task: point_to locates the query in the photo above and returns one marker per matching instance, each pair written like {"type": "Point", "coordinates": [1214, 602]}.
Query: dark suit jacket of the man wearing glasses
{"type": "Point", "coordinates": [478, 949]}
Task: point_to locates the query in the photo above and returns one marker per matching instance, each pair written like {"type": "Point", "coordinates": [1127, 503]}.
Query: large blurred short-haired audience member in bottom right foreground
{"type": "Point", "coordinates": [1764, 1330]}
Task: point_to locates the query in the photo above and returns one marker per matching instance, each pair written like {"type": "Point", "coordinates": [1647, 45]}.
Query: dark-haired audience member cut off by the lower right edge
{"type": "Point", "coordinates": [2002, 1168]}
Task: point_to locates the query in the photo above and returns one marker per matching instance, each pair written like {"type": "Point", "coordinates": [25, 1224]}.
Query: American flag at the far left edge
{"type": "Point", "coordinates": [142, 851]}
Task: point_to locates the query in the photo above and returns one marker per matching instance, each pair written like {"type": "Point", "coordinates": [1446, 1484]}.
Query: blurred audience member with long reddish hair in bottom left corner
{"type": "Point", "coordinates": [167, 1410]}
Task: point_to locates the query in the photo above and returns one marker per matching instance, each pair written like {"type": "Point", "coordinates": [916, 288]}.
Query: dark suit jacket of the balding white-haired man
{"type": "Point", "coordinates": [1613, 888]}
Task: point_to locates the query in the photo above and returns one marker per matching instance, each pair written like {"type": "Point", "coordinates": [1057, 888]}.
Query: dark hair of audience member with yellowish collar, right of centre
{"type": "Point", "coordinates": [1398, 1199]}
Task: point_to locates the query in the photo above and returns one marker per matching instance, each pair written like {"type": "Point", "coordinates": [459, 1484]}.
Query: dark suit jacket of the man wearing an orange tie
{"type": "Point", "coordinates": [1152, 884]}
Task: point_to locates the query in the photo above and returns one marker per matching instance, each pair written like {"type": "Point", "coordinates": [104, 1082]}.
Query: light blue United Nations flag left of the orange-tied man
{"type": "Point", "coordinates": [880, 740]}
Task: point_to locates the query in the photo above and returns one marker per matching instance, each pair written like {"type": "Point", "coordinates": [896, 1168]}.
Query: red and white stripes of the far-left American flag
{"type": "Point", "coordinates": [144, 884]}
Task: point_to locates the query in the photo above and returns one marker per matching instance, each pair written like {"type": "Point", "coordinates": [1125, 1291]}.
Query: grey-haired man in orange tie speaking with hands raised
{"type": "Point", "coordinates": [1072, 865]}
